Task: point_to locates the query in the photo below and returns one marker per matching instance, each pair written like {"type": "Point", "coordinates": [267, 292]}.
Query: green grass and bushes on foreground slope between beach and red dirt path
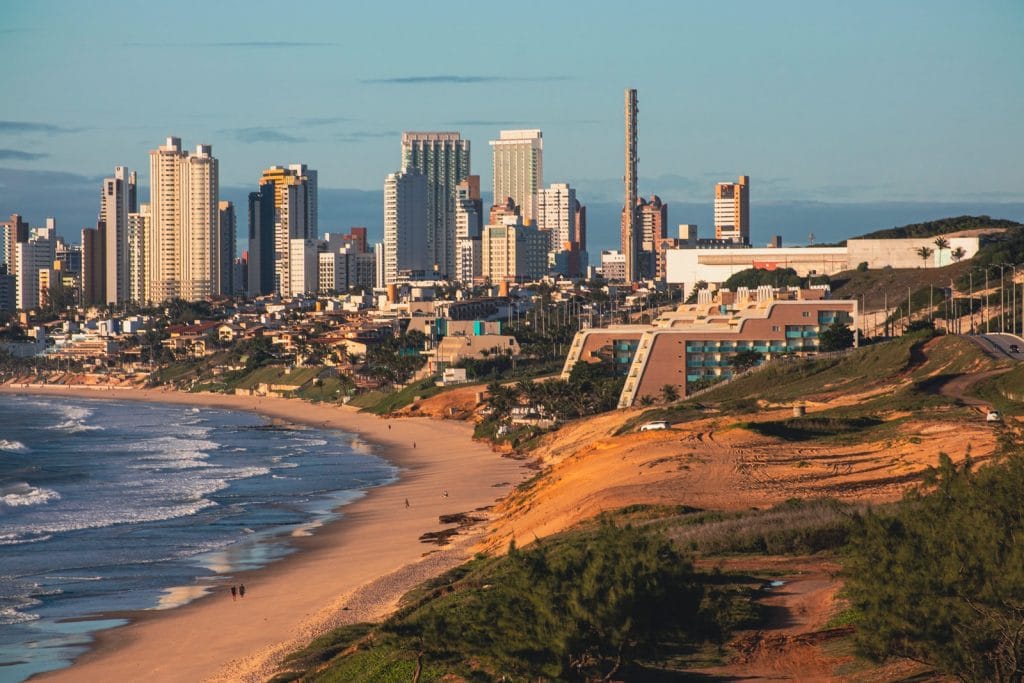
{"type": "Point", "coordinates": [609, 603]}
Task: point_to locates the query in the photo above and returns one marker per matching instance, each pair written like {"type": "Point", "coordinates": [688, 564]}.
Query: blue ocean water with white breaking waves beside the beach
{"type": "Point", "coordinates": [115, 505]}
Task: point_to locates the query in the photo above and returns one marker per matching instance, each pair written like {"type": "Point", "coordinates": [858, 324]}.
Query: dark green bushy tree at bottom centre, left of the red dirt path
{"type": "Point", "coordinates": [579, 610]}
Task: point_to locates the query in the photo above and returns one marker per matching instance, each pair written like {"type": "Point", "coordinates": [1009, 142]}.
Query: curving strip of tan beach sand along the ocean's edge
{"type": "Point", "coordinates": [351, 571]}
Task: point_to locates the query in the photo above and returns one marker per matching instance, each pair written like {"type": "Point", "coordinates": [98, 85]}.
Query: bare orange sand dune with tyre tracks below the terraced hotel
{"type": "Point", "coordinates": [716, 463]}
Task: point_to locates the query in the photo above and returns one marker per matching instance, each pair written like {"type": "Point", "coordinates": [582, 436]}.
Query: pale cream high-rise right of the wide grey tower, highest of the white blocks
{"type": "Point", "coordinates": [519, 169]}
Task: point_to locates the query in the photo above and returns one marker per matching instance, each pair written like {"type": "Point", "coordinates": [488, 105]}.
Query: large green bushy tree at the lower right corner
{"type": "Point", "coordinates": [942, 579]}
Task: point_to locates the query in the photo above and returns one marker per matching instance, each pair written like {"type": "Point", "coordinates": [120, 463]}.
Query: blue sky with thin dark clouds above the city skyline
{"type": "Point", "coordinates": [854, 106]}
